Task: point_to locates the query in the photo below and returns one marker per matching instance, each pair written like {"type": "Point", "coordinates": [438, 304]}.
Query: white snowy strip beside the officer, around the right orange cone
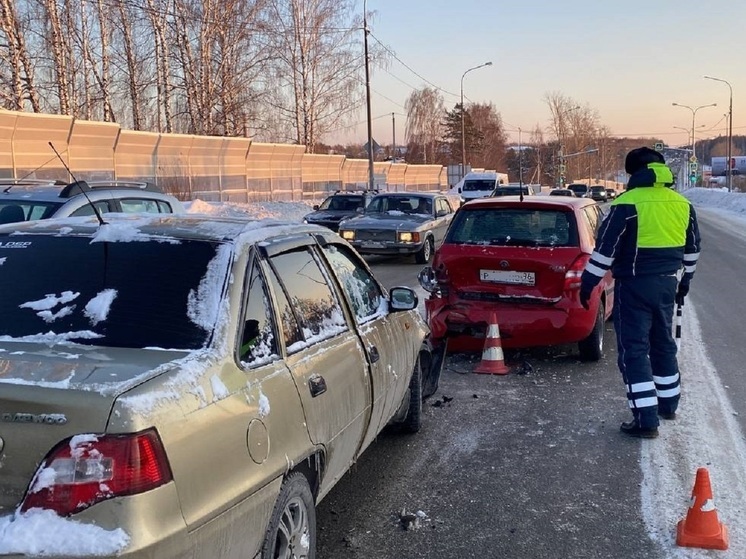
{"type": "Point", "coordinates": [704, 434]}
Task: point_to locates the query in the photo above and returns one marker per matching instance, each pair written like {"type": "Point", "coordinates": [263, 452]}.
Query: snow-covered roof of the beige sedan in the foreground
{"type": "Point", "coordinates": [201, 227]}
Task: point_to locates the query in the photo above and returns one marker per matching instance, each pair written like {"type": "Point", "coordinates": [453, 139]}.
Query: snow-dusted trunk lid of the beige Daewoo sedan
{"type": "Point", "coordinates": [48, 394]}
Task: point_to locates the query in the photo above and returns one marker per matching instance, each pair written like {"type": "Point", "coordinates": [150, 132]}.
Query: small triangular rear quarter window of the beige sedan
{"type": "Point", "coordinates": [258, 344]}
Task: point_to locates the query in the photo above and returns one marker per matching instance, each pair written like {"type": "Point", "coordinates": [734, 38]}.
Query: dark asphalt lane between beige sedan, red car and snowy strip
{"type": "Point", "coordinates": [527, 465]}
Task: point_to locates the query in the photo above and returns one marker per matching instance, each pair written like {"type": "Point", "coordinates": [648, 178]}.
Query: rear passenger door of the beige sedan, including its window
{"type": "Point", "coordinates": [323, 352]}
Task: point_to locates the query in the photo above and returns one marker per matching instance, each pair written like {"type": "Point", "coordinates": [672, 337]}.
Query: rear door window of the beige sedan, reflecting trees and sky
{"type": "Point", "coordinates": [313, 301]}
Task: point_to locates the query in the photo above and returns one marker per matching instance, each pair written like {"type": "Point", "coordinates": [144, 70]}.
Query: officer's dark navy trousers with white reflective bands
{"type": "Point", "coordinates": [643, 318]}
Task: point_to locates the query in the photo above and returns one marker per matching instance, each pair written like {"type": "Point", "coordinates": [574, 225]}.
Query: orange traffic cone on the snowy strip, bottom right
{"type": "Point", "coordinates": [701, 527]}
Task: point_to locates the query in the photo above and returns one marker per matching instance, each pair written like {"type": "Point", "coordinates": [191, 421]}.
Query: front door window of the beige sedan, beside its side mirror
{"type": "Point", "coordinates": [360, 288]}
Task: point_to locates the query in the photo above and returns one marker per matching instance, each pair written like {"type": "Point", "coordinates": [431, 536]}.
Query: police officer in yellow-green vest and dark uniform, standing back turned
{"type": "Point", "coordinates": [648, 234]}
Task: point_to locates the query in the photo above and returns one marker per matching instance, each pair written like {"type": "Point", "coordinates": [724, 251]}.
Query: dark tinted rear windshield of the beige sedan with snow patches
{"type": "Point", "coordinates": [115, 294]}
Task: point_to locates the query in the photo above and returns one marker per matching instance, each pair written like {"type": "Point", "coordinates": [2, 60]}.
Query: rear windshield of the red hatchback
{"type": "Point", "coordinates": [515, 227]}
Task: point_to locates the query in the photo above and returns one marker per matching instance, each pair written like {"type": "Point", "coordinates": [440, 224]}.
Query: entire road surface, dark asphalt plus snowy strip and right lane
{"type": "Point", "coordinates": [531, 465]}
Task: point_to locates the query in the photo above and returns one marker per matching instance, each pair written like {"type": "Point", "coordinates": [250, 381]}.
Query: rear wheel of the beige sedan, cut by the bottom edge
{"type": "Point", "coordinates": [292, 528]}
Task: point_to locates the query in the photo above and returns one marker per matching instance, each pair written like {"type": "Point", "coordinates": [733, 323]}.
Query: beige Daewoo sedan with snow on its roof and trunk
{"type": "Point", "coordinates": [191, 386]}
